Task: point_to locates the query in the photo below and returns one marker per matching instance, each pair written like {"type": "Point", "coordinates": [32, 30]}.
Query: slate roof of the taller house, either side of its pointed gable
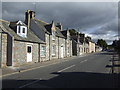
{"type": "Point", "coordinates": [47, 27]}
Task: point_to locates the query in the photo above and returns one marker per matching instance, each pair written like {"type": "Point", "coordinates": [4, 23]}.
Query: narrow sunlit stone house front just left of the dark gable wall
{"type": "Point", "coordinates": [68, 43]}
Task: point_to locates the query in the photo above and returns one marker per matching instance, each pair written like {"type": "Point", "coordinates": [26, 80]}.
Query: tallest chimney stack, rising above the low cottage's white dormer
{"type": "Point", "coordinates": [28, 16]}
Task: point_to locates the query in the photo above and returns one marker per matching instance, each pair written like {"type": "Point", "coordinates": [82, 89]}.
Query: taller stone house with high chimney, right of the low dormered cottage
{"type": "Point", "coordinates": [49, 33]}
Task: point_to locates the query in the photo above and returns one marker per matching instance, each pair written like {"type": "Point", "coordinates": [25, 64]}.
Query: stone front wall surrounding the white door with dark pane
{"type": "Point", "coordinates": [20, 52]}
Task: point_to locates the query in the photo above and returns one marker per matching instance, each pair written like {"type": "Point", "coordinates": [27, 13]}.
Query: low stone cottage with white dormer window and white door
{"type": "Point", "coordinates": [19, 45]}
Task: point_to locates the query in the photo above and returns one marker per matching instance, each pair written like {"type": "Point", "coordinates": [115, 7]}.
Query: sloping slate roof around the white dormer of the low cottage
{"type": "Point", "coordinates": [31, 37]}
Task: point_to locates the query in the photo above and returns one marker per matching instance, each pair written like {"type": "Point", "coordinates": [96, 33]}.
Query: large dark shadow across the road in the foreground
{"type": "Point", "coordinates": [70, 80]}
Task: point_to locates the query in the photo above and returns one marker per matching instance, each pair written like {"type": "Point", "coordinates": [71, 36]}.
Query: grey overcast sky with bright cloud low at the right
{"type": "Point", "coordinates": [96, 19]}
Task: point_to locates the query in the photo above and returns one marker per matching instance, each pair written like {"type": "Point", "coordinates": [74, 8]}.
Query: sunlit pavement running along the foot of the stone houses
{"type": "Point", "coordinates": [30, 66]}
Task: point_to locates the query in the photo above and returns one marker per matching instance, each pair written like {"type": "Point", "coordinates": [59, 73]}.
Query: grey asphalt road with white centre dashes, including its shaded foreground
{"type": "Point", "coordinates": [89, 71]}
